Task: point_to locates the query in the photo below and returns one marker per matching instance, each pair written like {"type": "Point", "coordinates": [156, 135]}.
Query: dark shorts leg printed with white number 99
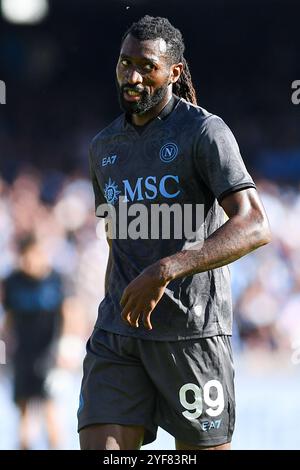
{"type": "Point", "coordinates": [196, 390]}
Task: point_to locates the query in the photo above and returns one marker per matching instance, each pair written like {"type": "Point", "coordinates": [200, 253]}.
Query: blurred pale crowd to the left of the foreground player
{"type": "Point", "coordinates": [69, 234]}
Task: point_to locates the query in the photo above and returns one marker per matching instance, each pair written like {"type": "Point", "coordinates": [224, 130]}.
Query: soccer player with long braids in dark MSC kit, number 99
{"type": "Point", "coordinates": [160, 353]}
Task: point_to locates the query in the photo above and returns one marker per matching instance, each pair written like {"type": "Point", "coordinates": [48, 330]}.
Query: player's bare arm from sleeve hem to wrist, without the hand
{"type": "Point", "coordinates": [246, 229]}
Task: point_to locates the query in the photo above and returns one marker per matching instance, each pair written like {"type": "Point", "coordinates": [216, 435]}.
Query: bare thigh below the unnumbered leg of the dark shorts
{"type": "Point", "coordinates": [111, 437]}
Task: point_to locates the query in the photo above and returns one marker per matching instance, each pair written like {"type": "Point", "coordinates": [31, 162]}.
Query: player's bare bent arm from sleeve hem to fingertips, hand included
{"type": "Point", "coordinates": [246, 229]}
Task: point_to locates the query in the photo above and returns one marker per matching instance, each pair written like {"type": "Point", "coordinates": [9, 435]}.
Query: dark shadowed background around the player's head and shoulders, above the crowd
{"type": "Point", "coordinates": [60, 77]}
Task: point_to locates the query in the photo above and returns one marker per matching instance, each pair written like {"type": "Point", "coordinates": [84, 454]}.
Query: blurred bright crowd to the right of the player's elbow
{"type": "Point", "coordinates": [266, 283]}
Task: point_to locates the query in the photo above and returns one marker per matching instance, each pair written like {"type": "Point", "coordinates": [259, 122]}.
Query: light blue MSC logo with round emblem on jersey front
{"type": "Point", "coordinates": [144, 188]}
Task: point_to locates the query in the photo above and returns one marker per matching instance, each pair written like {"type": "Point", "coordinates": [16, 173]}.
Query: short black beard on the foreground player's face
{"type": "Point", "coordinates": [146, 101]}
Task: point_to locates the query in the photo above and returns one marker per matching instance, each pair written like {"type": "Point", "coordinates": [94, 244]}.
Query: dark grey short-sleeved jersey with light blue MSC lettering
{"type": "Point", "coordinates": [188, 159]}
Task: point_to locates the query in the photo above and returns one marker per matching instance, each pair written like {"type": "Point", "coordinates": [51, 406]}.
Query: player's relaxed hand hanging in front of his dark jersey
{"type": "Point", "coordinates": [142, 295]}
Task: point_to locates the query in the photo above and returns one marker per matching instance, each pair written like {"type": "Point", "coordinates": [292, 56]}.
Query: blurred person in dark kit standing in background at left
{"type": "Point", "coordinates": [32, 299]}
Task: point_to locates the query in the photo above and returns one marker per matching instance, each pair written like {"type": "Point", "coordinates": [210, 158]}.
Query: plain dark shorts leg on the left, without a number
{"type": "Point", "coordinates": [116, 390]}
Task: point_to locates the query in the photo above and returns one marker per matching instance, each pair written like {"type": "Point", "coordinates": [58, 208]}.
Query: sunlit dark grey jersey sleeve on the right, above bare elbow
{"type": "Point", "coordinates": [218, 159]}
